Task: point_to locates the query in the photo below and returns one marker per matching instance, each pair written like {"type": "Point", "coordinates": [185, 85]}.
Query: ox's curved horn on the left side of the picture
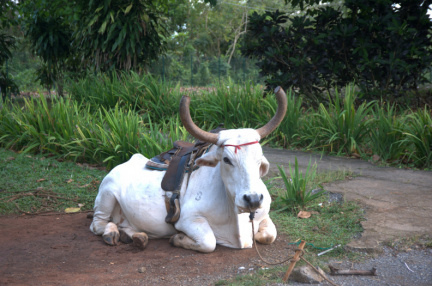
{"type": "Point", "coordinates": [190, 126]}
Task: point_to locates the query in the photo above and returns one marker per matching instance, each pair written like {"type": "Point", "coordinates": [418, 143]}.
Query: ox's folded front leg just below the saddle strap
{"type": "Point", "coordinates": [199, 238]}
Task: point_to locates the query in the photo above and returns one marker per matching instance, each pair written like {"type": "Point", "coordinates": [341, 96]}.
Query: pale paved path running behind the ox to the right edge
{"type": "Point", "coordinates": [398, 201]}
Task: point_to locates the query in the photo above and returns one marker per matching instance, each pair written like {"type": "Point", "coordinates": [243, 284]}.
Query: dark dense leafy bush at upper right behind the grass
{"type": "Point", "coordinates": [383, 47]}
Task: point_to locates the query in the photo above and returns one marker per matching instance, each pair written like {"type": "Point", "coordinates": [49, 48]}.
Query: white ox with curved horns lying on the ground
{"type": "Point", "coordinates": [215, 202]}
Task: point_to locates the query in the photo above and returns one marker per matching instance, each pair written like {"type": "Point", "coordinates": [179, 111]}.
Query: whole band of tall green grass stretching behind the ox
{"type": "Point", "coordinates": [107, 118]}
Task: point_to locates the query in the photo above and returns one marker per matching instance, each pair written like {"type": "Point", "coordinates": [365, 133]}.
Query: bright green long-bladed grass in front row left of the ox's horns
{"type": "Point", "coordinates": [71, 131]}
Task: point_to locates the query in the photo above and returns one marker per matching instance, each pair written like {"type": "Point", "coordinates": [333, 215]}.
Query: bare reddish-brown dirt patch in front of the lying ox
{"type": "Point", "coordinates": [61, 250]}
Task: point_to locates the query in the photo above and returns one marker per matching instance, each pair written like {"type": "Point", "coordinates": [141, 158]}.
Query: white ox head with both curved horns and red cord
{"type": "Point", "coordinates": [239, 154]}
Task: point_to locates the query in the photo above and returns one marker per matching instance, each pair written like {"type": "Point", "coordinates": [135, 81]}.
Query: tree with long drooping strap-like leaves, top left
{"type": "Point", "coordinates": [121, 34]}
